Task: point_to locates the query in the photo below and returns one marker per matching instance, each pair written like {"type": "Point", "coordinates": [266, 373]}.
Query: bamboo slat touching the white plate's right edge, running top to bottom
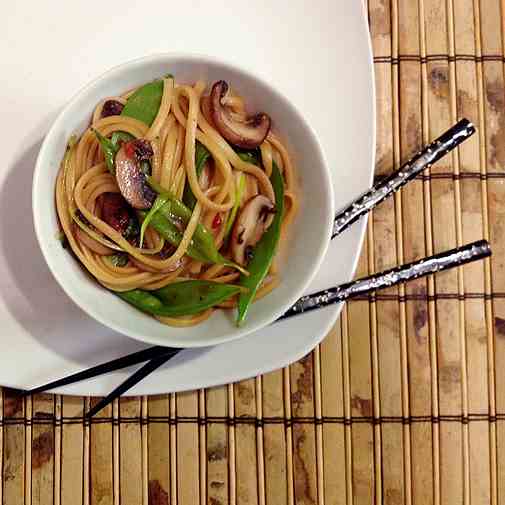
{"type": "Point", "coordinates": [391, 340]}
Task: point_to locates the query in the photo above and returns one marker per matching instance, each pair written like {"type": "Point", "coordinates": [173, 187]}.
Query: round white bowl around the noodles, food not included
{"type": "Point", "coordinates": [310, 235]}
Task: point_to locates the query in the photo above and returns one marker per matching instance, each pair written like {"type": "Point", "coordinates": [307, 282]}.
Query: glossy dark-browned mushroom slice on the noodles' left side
{"type": "Point", "coordinates": [131, 181]}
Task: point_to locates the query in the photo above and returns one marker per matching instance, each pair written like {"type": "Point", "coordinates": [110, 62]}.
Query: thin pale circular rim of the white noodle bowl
{"type": "Point", "coordinates": [208, 60]}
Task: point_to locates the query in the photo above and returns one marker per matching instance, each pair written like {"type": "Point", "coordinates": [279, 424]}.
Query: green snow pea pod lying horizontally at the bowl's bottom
{"type": "Point", "coordinates": [180, 298]}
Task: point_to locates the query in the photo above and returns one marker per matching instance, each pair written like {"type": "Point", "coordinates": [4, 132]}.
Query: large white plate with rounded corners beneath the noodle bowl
{"type": "Point", "coordinates": [321, 62]}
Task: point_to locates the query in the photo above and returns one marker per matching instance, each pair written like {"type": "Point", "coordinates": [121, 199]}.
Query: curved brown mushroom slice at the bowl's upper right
{"type": "Point", "coordinates": [248, 132]}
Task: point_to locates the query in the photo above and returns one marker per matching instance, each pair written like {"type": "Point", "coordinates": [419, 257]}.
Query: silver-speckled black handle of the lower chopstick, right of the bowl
{"type": "Point", "coordinates": [448, 259]}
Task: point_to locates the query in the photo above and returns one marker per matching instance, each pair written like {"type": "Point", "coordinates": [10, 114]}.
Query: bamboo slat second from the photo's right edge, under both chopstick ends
{"type": "Point", "coordinates": [476, 477]}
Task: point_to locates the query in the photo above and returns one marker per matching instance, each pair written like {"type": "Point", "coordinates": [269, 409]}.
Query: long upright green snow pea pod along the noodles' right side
{"type": "Point", "coordinates": [264, 251]}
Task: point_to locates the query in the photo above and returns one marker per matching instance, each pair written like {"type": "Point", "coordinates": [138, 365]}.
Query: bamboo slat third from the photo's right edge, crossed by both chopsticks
{"type": "Point", "coordinates": [437, 116]}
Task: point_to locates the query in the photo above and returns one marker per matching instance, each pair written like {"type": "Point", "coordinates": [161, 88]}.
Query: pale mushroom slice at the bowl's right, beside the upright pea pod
{"type": "Point", "coordinates": [249, 227]}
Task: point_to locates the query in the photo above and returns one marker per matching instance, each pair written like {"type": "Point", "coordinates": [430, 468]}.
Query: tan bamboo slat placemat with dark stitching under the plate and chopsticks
{"type": "Point", "coordinates": [404, 401]}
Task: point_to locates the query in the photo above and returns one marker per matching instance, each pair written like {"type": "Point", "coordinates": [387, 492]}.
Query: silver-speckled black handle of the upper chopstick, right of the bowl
{"type": "Point", "coordinates": [422, 160]}
